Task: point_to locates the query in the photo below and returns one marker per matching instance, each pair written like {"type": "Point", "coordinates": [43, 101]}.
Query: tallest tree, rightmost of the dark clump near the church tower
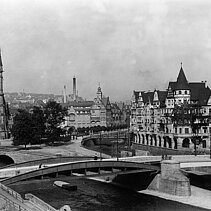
{"type": "Point", "coordinates": [54, 115]}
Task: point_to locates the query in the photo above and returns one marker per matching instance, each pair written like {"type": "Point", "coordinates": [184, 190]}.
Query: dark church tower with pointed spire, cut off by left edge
{"type": "Point", "coordinates": [3, 107]}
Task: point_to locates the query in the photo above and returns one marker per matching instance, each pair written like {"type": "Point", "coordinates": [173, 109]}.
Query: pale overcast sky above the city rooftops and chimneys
{"type": "Point", "coordinates": [125, 45]}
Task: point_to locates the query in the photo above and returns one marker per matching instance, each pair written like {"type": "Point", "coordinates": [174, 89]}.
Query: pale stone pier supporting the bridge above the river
{"type": "Point", "coordinates": [171, 180]}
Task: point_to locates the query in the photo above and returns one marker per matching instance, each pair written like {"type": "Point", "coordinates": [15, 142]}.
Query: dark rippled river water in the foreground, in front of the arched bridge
{"type": "Point", "coordinates": [97, 196]}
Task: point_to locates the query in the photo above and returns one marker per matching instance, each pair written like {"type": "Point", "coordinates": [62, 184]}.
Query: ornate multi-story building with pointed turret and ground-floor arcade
{"type": "Point", "coordinates": [176, 118]}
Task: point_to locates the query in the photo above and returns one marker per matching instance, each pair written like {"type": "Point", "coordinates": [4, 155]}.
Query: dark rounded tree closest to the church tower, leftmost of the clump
{"type": "Point", "coordinates": [22, 128]}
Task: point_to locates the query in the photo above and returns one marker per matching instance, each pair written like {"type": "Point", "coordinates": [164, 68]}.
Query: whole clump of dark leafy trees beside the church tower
{"type": "Point", "coordinates": [30, 127]}
